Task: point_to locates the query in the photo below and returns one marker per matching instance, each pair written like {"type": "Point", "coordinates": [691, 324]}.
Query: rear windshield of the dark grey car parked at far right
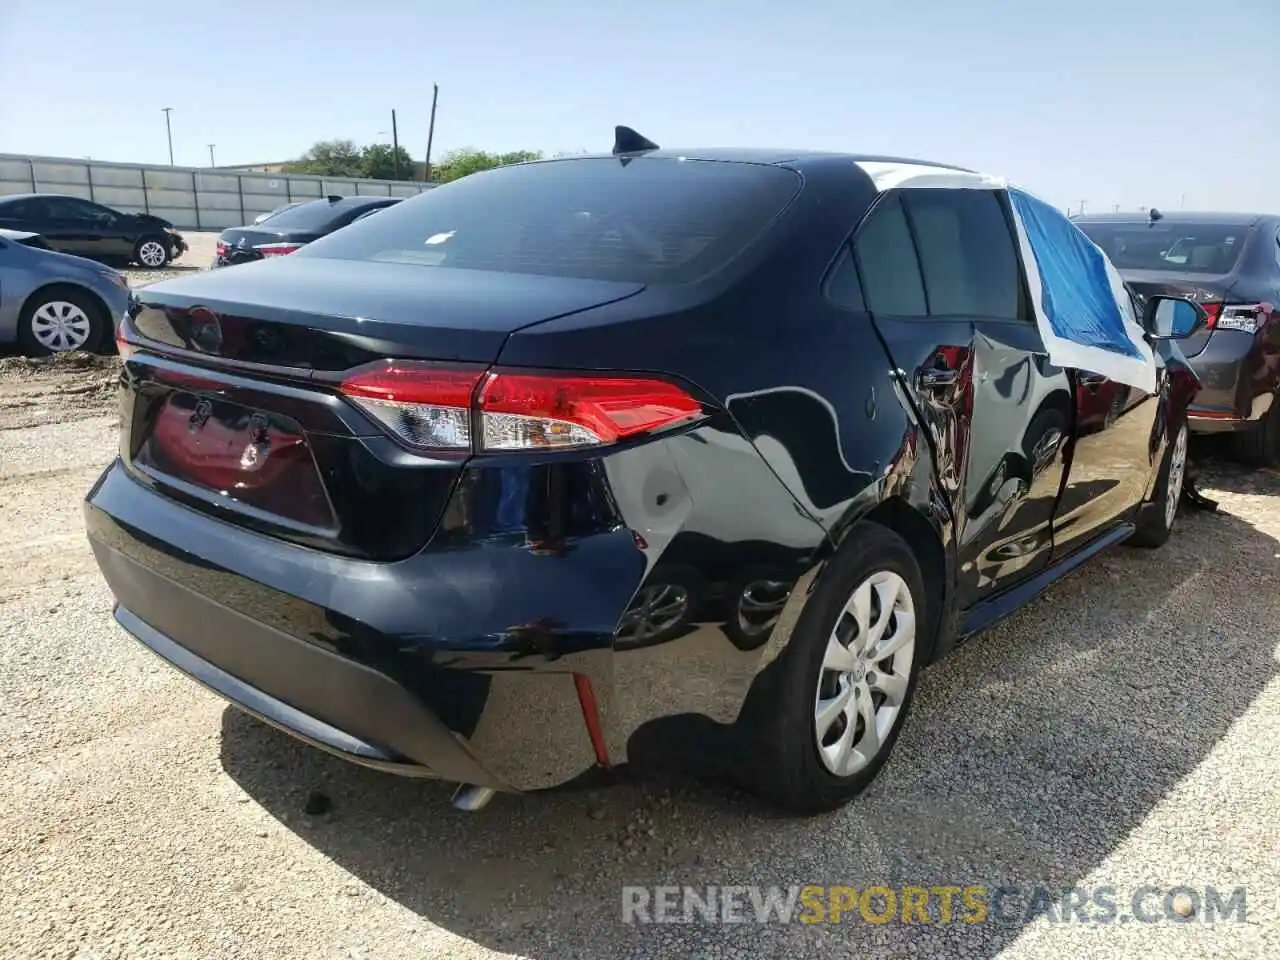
{"type": "Point", "coordinates": [1174, 248]}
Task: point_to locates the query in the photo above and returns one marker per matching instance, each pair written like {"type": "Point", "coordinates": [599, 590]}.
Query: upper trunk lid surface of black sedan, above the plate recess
{"type": "Point", "coordinates": [331, 316]}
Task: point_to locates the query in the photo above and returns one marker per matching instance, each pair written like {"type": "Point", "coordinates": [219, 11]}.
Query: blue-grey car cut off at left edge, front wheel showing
{"type": "Point", "coordinates": [56, 303]}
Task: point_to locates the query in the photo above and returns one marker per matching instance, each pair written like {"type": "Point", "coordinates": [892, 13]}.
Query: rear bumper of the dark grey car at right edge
{"type": "Point", "coordinates": [1237, 383]}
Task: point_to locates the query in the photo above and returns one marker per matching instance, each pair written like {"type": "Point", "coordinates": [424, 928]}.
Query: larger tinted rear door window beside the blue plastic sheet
{"type": "Point", "coordinates": [967, 254]}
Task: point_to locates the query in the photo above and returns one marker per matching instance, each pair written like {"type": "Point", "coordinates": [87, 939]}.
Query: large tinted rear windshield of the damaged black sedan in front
{"type": "Point", "coordinates": [648, 221]}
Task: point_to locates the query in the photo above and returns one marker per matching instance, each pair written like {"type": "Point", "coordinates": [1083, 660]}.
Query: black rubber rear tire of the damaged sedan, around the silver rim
{"type": "Point", "coordinates": [781, 761]}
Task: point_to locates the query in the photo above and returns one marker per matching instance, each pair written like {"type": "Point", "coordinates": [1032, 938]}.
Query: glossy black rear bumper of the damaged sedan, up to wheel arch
{"type": "Point", "coordinates": [524, 630]}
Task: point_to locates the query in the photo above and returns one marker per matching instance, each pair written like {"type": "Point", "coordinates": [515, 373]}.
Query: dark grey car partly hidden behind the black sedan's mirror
{"type": "Point", "coordinates": [1231, 264]}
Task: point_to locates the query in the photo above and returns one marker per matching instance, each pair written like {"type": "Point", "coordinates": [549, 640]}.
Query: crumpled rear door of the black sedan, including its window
{"type": "Point", "coordinates": [944, 284]}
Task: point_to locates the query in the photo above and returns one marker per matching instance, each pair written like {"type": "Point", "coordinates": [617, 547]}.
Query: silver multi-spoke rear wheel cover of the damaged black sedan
{"type": "Point", "coordinates": [866, 673]}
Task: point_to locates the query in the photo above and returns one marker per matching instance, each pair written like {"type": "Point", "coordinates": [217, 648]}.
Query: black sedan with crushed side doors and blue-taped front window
{"type": "Point", "coordinates": [568, 465]}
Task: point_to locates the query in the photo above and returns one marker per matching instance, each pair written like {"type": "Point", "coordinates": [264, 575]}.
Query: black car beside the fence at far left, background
{"type": "Point", "coordinates": [83, 228]}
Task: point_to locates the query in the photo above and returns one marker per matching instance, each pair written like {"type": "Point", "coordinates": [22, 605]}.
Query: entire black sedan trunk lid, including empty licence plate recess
{"type": "Point", "coordinates": [232, 401]}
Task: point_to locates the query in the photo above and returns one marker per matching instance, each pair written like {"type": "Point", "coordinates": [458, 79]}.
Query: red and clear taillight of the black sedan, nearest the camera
{"type": "Point", "coordinates": [433, 409]}
